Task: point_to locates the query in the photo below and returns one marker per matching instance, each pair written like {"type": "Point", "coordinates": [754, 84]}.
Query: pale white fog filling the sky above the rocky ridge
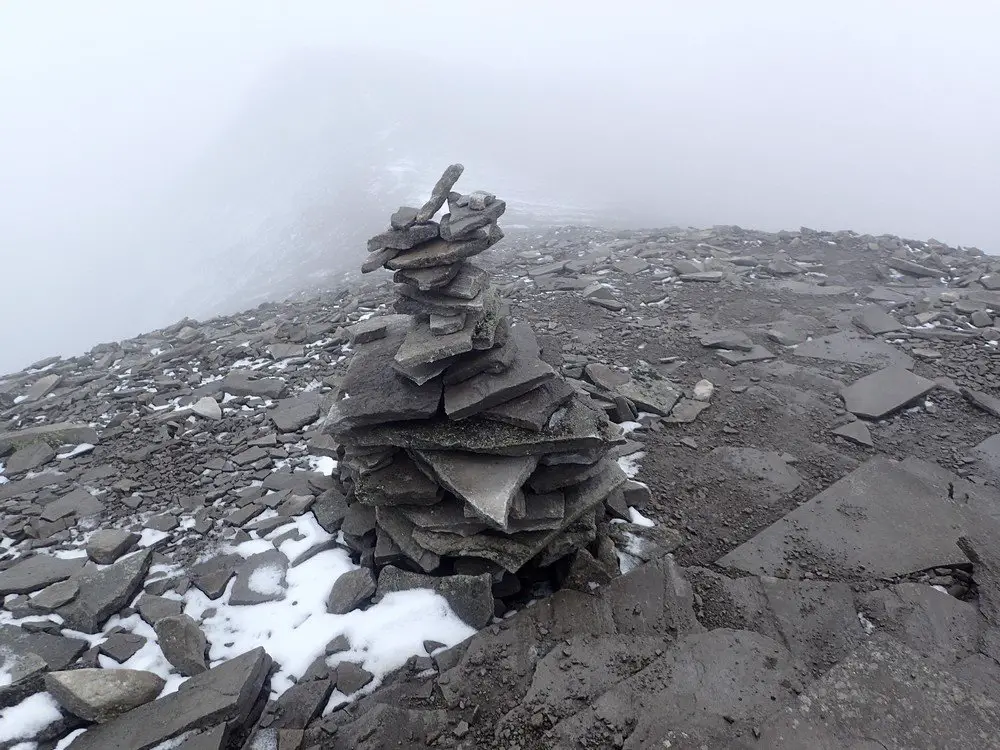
{"type": "Point", "coordinates": [162, 159]}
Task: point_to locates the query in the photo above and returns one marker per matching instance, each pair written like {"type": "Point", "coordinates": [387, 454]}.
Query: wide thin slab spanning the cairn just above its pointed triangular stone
{"type": "Point", "coordinates": [578, 427]}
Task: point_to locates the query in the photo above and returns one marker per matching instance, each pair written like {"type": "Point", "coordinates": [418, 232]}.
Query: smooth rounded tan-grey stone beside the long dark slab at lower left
{"type": "Point", "coordinates": [103, 694]}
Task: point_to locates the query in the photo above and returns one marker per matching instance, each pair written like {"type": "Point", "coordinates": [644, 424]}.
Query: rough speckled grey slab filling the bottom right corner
{"type": "Point", "coordinates": [886, 695]}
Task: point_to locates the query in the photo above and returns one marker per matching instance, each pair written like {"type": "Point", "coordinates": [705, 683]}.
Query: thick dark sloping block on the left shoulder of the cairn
{"type": "Point", "coordinates": [376, 393]}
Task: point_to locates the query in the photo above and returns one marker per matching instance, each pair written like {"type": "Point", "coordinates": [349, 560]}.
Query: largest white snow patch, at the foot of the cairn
{"type": "Point", "coordinates": [296, 629]}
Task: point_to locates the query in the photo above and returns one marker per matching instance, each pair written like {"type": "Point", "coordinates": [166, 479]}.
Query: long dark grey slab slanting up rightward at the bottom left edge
{"type": "Point", "coordinates": [226, 694]}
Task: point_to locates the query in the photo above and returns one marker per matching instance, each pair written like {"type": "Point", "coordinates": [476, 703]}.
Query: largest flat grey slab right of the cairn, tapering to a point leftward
{"type": "Point", "coordinates": [884, 519]}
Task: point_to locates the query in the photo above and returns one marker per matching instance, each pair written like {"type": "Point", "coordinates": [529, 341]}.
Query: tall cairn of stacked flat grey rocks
{"type": "Point", "coordinates": [461, 449]}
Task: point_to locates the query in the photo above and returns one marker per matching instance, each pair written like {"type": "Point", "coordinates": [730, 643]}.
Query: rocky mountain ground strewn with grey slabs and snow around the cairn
{"type": "Point", "coordinates": [822, 570]}
